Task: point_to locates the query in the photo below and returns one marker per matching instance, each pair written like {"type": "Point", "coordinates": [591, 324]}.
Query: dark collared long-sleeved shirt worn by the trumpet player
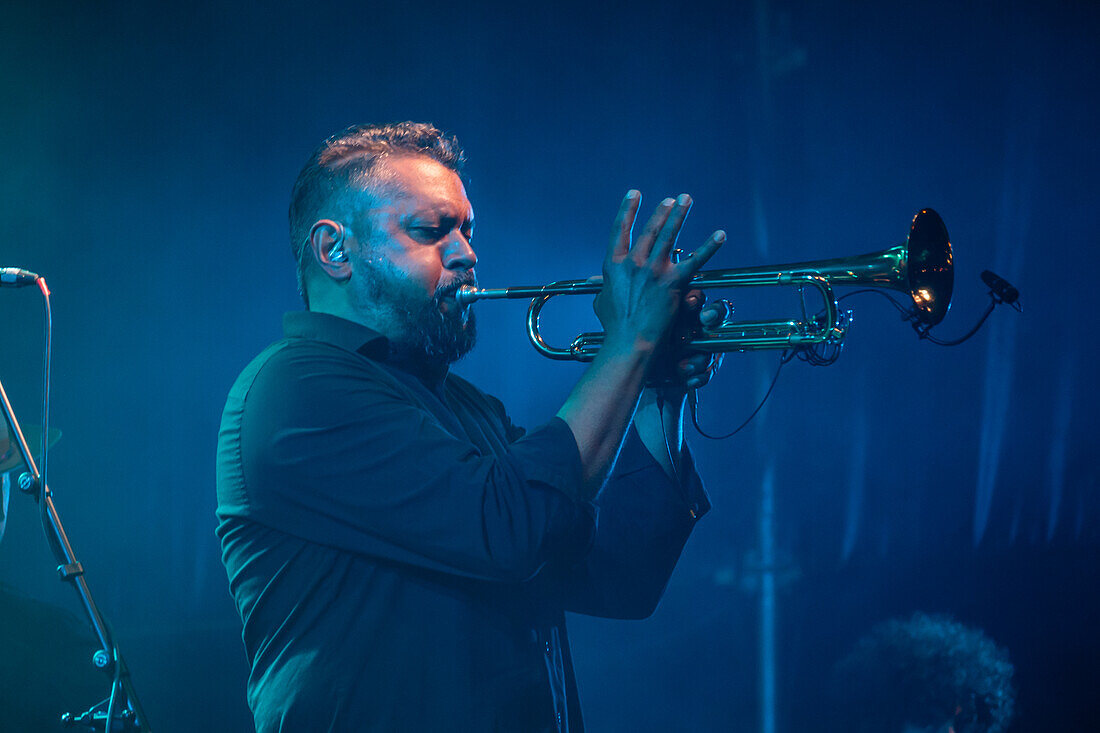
{"type": "Point", "coordinates": [402, 555]}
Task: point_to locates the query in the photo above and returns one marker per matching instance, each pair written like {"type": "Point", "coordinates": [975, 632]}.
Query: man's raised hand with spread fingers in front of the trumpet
{"type": "Point", "coordinates": [643, 288]}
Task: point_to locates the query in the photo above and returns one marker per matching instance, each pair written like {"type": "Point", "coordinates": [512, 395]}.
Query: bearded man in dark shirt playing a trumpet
{"type": "Point", "coordinates": [401, 554]}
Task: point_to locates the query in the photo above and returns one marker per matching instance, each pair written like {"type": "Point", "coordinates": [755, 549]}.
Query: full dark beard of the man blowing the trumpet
{"type": "Point", "coordinates": [427, 331]}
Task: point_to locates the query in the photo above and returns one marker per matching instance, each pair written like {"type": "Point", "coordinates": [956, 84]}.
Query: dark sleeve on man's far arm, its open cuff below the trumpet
{"type": "Point", "coordinates": [645, 519]}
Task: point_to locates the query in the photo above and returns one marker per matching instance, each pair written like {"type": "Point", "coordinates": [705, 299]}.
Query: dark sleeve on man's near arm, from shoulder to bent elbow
{"type": "Point", "coordinates": [332, 452]}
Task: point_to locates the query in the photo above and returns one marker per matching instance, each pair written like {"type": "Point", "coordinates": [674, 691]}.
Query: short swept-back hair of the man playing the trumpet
{"type": "Point", "coordinates": [346, 162]}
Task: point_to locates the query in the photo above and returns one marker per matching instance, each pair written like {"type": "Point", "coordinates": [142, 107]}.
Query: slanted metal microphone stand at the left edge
{"type": "Point", "coordinates": [123, 707]}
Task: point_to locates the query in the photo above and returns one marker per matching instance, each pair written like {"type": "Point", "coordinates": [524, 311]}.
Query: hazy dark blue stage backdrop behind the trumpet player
{"type": "Point", "coordinates": [148, 154]}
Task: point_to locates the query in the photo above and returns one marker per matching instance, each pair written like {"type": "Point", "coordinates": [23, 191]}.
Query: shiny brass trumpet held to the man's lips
{"type": "Point", "coordinates": [921, 268]}
